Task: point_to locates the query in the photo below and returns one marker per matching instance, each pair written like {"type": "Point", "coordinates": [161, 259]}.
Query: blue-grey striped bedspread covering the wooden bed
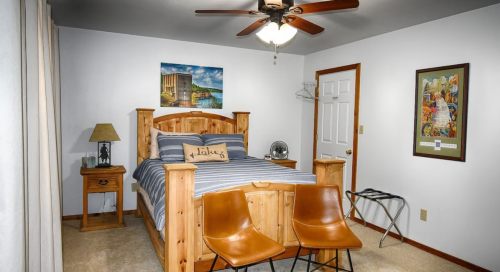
{"type": "Point", "coordinates": [214, 176]}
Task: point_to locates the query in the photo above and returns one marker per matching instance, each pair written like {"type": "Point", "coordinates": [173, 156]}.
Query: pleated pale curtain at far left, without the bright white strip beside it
{"type": "Point", "coordinates": [42, 140]}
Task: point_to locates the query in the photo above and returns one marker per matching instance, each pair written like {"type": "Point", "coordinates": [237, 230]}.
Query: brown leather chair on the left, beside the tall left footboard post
{"type": "Point", "coordinates": [229, 232]}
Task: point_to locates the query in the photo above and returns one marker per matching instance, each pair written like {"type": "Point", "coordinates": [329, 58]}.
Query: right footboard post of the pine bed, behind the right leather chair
{"type": "Point", "coordinates": [329, 172]}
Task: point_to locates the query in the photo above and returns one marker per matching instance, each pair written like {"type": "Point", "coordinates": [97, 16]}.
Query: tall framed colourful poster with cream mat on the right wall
{"type": "Point", "coordinates": [440, 123]}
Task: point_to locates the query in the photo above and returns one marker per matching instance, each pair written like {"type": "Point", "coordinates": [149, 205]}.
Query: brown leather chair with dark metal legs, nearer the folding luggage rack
{"type": "Point", "coordinates": [318, 222]}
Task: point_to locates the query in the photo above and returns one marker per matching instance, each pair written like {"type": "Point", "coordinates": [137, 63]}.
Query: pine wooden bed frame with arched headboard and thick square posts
{"type": "Point", "coordinates": [270, 204]}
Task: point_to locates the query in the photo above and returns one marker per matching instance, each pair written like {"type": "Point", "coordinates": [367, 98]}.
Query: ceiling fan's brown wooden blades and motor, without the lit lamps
{"type": "Point", "coordinates": [284, 12]}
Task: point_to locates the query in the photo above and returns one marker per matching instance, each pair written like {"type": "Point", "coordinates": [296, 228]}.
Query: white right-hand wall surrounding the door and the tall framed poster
{"type": "Point", "coordinates": [461, 197]}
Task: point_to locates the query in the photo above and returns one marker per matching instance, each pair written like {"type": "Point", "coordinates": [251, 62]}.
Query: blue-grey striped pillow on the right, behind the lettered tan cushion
{"type": "Point", "coordinates": [234, 143]}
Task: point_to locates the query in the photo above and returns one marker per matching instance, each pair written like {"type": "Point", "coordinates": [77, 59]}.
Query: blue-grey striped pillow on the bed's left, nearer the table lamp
{"type": "Point", "coordinates": [170, 146]}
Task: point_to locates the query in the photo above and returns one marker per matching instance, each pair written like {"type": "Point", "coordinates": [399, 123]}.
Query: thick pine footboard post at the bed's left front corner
{"type": "Point", "coordinates": [179, 217]}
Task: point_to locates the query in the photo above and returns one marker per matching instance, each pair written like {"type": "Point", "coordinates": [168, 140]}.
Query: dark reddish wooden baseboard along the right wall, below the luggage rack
{"type": "Point", "coordinates": [423, 247]}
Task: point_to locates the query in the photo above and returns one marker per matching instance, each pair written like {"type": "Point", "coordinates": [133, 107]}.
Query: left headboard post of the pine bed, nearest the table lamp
{"type": "Point", "coordinates": [144, 121]}
